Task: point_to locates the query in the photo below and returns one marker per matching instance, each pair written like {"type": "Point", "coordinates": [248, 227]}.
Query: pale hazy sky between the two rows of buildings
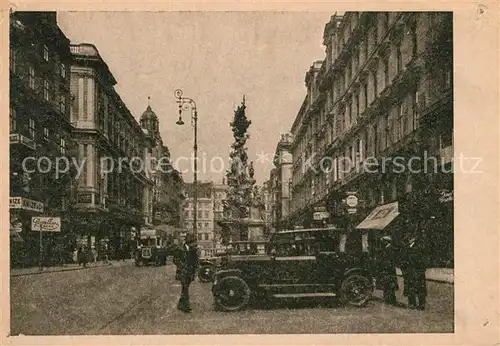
{"type": "Point", "coordinates": [215, 58]}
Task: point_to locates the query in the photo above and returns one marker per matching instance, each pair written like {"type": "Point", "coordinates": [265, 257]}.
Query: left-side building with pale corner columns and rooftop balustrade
{"type": "Point", "coordinates": [113, 193]}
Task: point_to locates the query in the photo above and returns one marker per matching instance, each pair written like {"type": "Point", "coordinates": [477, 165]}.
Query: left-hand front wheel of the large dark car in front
{"type": "Point", "coordinates": [231, 293]}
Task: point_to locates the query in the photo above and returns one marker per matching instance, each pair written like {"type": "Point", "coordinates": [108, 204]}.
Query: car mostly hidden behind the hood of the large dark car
{"type": "Point", "coordinates": [208, 266]}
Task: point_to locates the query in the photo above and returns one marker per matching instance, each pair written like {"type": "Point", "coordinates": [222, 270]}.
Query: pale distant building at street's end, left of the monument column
{"type": "Point", "coordinates": [205, 214]}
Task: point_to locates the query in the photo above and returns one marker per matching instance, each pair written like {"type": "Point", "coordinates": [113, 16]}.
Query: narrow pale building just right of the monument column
{"type": "Point", "coordinates": [282, 180]}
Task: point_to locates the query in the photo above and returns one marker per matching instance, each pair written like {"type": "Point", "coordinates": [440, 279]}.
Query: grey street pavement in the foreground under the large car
{"type": "Point", "coordinates": [125, 300]}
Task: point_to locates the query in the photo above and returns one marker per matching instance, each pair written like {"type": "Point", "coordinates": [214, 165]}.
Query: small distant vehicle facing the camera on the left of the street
{"type": "Point", "coordinates": [150, 249]}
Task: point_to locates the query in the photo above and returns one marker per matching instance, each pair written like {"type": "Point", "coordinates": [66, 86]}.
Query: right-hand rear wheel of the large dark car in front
{"type": "Point", "coordinates": [356, 290]}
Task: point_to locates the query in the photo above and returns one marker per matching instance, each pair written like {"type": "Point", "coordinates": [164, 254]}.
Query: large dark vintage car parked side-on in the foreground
{"type": "Point", "coordinates": [298, 264]}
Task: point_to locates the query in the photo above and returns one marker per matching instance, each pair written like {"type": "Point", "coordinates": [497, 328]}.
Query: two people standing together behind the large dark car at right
{"type": "Point", "coordinates": [410, 257]}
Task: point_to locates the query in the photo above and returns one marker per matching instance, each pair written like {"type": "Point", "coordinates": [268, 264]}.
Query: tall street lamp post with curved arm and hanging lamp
{"type": "Point", "coordinates": [186, 103]}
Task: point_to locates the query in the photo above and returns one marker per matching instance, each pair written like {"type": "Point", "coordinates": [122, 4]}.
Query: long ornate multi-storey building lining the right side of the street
{"type": "Point", "coordinates": [383, 91]}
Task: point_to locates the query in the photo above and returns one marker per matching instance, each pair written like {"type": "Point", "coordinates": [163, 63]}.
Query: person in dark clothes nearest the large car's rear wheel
{"type": "Point", "coordinates": [387, 277]}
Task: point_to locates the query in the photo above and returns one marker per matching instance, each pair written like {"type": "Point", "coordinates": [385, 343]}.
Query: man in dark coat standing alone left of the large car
{"type": "Point", "coordinates": [186, 260]}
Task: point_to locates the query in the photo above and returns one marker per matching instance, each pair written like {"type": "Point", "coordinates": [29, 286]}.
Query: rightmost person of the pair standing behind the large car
{"type": "Point", "coordinates": [413, 268]}
